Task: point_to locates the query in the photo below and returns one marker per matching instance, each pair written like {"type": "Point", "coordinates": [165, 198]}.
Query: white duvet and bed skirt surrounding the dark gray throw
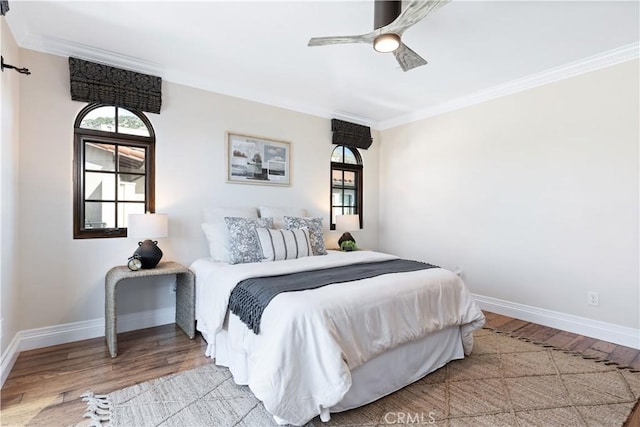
{"type": "Point", "coordinates": [338, 346]}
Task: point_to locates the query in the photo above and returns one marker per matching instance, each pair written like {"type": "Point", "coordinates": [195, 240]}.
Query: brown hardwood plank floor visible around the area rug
{"type": "Point", "coordinates": [44, 386]}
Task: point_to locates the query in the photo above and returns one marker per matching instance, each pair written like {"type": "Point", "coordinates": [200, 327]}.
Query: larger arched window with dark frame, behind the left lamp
{"type": "Point", "coordinates": [114, 170]}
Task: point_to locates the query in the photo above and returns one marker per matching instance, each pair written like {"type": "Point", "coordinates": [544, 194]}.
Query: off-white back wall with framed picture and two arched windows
{"type": "Point", "coordinates": [61, 279]}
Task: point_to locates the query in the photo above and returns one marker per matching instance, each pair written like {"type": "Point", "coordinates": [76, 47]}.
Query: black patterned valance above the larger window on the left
{"type": "Point", "coordinates": [91, 82]}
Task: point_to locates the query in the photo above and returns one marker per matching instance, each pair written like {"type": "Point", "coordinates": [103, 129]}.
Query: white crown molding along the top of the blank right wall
{"type": "Point", "coordinates": [592, 63]}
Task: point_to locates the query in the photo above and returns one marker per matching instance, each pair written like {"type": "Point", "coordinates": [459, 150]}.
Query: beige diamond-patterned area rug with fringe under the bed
{"type": "Point", "coordinates": [505, 382]}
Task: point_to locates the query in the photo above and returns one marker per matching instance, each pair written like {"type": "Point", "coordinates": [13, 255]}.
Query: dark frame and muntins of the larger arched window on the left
{"type": "Point", "coordinates": [83, 135]}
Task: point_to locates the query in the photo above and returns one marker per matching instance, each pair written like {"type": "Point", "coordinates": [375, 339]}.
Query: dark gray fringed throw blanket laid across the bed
{"type": "Point", "coordinates": [250, 296]}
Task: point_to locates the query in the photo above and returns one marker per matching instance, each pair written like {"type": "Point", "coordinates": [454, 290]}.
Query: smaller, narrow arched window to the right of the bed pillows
{"type": "Point", "coordinates": [346, 183]}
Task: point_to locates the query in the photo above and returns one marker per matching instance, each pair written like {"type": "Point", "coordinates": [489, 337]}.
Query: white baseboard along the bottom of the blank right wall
{"type": "Point", "coordinates": [622, 335]}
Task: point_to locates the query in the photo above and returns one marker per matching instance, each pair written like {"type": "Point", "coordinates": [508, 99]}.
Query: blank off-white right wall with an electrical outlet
{"type": "Point", "coordinates": [534, 195]}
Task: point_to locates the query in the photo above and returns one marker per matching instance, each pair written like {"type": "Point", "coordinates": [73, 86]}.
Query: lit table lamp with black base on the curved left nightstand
{"type": "Point", "coordinates": [148, 226]}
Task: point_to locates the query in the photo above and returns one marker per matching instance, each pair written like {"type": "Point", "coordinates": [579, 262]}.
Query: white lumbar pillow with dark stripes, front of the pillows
{"type": "Point", "coordinates": [281, 244]}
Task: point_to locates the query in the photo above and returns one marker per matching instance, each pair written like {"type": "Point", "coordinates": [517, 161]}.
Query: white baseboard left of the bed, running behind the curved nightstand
{"type": "Point", "coordinates": [77, 331]}
